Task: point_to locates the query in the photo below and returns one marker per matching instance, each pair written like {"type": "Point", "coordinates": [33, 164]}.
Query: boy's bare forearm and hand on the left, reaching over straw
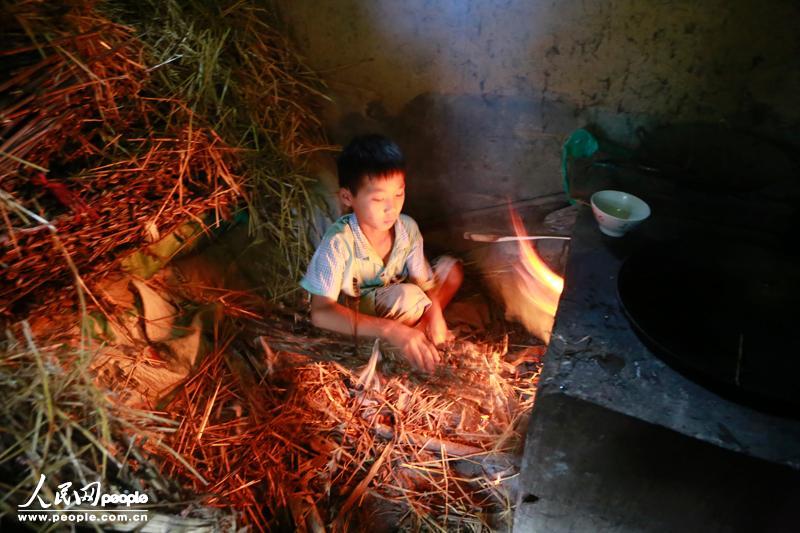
{"type": "Point", "coordinates": [328, 314]}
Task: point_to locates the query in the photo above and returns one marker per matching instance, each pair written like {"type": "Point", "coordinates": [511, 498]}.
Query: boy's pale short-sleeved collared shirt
{"type": "Point", "coordinates": [345, 261]}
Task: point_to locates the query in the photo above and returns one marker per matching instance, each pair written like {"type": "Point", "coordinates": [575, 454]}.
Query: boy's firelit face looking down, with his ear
{"type": "Point", "coordinates": [378, 201]}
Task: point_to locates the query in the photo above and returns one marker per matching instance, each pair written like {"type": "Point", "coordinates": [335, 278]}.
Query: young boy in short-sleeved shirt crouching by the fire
{"type": "Point", "coordinates": [369, 276]}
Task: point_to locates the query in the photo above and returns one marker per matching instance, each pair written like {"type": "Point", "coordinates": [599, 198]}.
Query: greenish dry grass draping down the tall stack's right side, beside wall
{"type": "Point", "coordinates": [230, 64]}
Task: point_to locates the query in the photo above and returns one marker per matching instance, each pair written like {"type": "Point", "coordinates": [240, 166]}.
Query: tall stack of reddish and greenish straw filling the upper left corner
{"type": "Point", "coordinates": [112, 136]}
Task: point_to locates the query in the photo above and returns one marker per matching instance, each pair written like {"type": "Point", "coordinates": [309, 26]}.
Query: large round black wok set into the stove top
{"type": "Point", "coordinates": [721, 312]}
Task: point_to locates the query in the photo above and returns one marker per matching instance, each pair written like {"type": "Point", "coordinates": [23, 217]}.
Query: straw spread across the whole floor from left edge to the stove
{"type": "Point", "coordinates": [281, 428]}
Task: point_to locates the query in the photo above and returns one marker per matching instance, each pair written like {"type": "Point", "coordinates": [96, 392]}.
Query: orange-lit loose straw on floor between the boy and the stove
{"type": "Point", "coordinates": [313, 442]}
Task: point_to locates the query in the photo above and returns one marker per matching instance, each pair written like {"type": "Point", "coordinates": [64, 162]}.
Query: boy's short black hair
{"type": "Point", "coordinates": [368, 156]}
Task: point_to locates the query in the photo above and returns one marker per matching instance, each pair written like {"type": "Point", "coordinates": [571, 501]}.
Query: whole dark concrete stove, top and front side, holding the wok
{"type": "Point", "coordinates": [625, 439]}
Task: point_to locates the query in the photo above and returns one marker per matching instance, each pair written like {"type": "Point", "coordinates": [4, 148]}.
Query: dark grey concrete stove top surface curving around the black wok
{"type": "Point", "coordinates": [595, 355]}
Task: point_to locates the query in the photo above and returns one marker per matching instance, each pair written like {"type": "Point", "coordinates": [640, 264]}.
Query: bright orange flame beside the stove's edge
{"type": "Point", "coordinates": [539, 287]}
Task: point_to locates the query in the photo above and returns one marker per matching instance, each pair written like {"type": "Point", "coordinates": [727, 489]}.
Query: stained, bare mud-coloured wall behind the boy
{"type": "Point", "coordinates": [481, 93]}
